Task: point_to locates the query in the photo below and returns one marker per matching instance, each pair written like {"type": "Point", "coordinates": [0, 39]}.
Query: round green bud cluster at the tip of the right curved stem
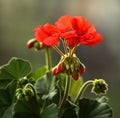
{"type": "Point", "coordinates": [99, 87]}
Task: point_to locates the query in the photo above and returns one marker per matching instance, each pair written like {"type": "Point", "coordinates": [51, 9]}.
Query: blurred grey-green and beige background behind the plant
{"type": "Point", "coordinates": [18, 18]}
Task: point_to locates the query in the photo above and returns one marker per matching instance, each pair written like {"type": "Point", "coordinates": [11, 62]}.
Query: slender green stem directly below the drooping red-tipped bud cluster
{"type": "Point", "coordinates": [66, 92]}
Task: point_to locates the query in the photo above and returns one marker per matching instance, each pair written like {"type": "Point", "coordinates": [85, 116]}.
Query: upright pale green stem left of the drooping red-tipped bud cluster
{"type": "Point", "coordinates": [48, 59]}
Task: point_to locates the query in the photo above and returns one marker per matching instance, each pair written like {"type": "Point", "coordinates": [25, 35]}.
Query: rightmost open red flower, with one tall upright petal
{"type": "Point", "coordinates": [85, 34]}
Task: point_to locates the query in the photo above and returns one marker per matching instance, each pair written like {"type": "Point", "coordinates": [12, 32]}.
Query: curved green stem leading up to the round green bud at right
{"type": "Point", "coordinates": [82, 89]}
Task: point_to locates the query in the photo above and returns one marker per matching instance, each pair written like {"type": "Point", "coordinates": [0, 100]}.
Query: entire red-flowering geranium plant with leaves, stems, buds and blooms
{"type": "Point", "coordinates": [54, 92]}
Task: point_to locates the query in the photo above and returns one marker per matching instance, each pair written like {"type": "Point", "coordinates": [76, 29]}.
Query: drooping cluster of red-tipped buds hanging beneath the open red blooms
{"type": "Point", "coordinates": [70, 65]}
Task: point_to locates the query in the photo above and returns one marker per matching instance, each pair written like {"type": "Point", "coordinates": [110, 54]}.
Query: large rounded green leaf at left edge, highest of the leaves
{"type": "Point", "coordinates": [14, 70]}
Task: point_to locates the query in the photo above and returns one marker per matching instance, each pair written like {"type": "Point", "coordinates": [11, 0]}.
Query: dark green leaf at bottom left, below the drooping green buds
{"type": "Point", "coordinates": [26, 109]}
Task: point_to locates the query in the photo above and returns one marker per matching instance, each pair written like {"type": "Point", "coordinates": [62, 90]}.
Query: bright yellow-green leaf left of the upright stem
{"type": "Point", "coordinates": [38, 73]}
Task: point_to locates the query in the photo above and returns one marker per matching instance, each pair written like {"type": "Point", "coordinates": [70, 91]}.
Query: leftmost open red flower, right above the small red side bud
{"type": "Point", "coordinates": [47, 34]}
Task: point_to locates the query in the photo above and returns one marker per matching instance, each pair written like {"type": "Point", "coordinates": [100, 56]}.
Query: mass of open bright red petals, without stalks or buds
{"type": "Point", "coordinates": [74, 30]}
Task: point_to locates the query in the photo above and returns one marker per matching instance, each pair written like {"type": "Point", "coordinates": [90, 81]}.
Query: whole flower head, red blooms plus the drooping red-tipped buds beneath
{"type": "Point", "coordinates": [72, 31]}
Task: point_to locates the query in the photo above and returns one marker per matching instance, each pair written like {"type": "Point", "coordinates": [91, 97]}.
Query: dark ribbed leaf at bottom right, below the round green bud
{"type": "Point", "coordinates": [93, 109]}
